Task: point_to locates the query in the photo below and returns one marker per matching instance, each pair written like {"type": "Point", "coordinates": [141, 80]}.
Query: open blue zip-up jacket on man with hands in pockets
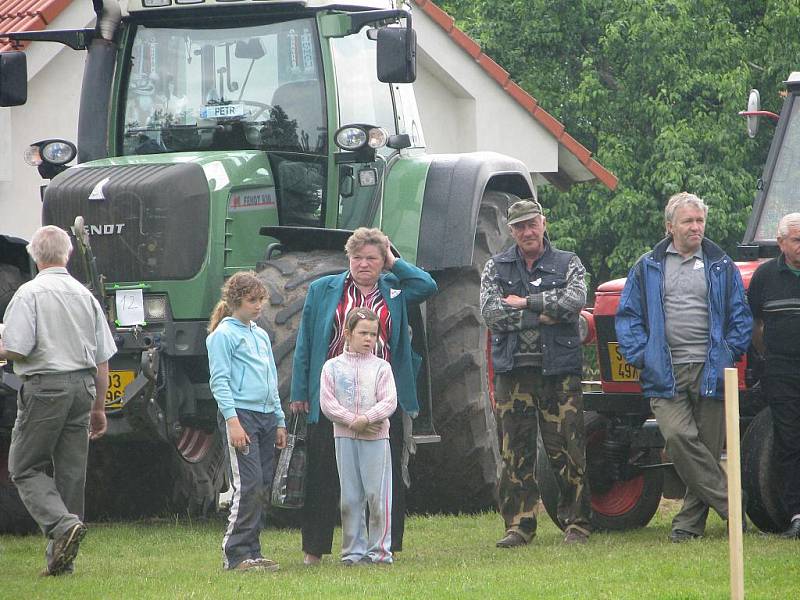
{"type": "Point", "coordinates": [641, 328]}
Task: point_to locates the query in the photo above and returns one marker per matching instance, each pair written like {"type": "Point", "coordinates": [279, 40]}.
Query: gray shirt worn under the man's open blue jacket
{"type": "Point", "coordinates": [686, 306]}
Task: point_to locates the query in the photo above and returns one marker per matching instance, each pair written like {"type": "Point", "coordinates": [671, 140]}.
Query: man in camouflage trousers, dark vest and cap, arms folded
{"type": "Point", "coordinates": [531, 298]}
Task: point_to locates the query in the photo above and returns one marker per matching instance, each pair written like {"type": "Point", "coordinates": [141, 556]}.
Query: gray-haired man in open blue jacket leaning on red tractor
{"type": "Point", "coordinates": [682, 319]}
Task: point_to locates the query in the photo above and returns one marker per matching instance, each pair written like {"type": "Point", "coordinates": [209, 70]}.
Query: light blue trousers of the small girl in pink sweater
{"type": "Point", "coordinates": [365, 476]}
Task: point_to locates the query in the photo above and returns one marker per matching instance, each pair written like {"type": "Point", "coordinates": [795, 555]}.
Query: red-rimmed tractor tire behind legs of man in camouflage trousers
{"type": "Point", "coordinates": [616, 505]}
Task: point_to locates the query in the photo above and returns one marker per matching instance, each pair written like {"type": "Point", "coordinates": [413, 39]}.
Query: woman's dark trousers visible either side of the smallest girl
{"type": "Point", "coordinates": [322, 486]}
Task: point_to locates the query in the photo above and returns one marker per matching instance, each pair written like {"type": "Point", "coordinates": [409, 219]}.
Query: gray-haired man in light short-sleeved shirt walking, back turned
{"type": "Point", "coordinates": [58, 337]}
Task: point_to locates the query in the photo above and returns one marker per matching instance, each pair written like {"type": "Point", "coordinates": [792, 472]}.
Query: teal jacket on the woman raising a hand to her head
{"type": "Point", "coordinates": [405, 285]}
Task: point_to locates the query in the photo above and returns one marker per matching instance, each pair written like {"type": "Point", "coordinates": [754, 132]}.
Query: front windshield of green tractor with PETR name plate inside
{"type": "Point", "coordinates": [235, 88]}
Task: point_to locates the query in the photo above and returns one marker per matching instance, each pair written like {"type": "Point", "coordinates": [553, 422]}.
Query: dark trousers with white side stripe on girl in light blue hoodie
{"type": "Point", "coordinates": [250, 476]}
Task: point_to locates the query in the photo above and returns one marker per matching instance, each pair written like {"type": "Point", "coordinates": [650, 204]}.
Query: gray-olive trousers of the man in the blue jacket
{"type": "Point", "coordinates": [694, 431]}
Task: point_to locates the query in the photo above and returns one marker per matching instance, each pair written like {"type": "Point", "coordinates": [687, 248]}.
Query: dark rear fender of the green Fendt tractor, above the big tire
{"type": "Point", "coordinates": [453, 191]}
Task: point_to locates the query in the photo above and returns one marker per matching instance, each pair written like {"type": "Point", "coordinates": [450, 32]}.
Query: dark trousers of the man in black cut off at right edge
{"type": "Point", "coordinates": [783, 393]}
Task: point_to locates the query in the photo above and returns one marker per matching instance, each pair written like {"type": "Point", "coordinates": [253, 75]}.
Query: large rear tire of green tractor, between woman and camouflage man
{"type": "Point", "coordinates": [460, 474]}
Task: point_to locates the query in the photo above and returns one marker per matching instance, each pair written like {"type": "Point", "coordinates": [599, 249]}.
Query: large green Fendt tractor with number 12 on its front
{"type": "Point", "coordinates": [221, 135]}
